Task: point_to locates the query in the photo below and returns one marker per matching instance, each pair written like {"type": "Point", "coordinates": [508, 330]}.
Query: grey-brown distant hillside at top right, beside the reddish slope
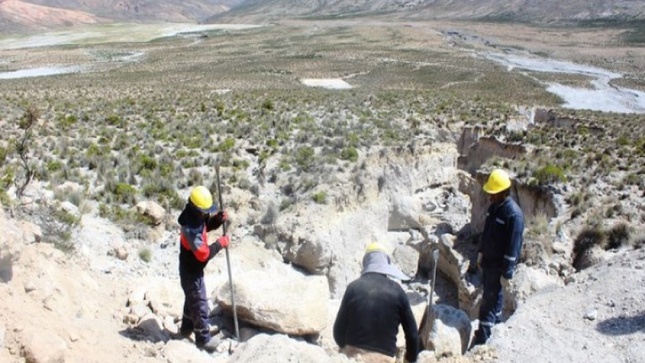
{"type": "Point", "coordinates": [518, 10]}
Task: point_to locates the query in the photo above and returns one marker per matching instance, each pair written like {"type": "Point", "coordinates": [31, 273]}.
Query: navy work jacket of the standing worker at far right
{"type": "Point", "coordinates": [501, 241]}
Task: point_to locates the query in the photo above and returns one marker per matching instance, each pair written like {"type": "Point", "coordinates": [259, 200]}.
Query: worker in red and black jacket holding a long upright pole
{"type": "Point", "coordinates": [195, 220]}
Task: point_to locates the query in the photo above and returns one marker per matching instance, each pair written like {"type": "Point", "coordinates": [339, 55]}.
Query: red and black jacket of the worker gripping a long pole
{"type": "Point", "coordinates": [194, 250]}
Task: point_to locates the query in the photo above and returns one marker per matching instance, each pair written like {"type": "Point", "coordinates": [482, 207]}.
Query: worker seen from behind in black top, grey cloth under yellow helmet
{"type": "Point", "coordinates": [371, 311]}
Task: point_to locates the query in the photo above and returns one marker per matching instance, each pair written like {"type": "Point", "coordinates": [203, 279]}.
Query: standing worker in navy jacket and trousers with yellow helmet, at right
{"type": "Point", "coordinates": [499, 250]}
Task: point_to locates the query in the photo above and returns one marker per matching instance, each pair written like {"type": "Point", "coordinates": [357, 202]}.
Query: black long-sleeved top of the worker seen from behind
{"type": "Point", "coordinates": [369, 316]}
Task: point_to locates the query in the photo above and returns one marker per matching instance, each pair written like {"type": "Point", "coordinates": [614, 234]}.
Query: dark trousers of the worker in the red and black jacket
{"type": "Point", "coordinates": [196, 310]}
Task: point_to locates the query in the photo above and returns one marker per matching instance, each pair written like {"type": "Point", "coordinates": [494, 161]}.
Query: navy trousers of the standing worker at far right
{"type": "Point", "coordinates": [490, 310]}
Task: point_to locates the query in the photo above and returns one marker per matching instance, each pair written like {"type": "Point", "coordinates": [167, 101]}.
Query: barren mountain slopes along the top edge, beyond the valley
{"type": "Point", "coordinates": [18, 15]}
